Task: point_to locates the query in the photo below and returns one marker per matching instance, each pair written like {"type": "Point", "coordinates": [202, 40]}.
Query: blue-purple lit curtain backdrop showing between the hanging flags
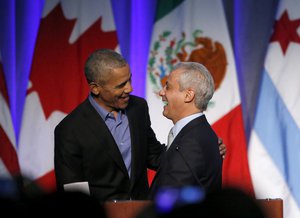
{"type": "Point", "coordinates": [250, 25]}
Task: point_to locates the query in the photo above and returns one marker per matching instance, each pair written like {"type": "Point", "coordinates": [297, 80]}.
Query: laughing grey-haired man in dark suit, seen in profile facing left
{"type": "Point", "coordinates": [192, 158]}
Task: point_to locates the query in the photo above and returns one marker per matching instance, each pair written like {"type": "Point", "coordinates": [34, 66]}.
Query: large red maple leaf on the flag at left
{"type": "Point", "coordinates": [57, 73]}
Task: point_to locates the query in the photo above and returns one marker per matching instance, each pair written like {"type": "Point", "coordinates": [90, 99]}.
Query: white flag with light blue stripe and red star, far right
{"type": "Point", "coordinates": [274, 151]}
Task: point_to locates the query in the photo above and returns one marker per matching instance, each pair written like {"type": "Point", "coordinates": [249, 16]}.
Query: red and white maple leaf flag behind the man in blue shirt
{"type": "Point", "coordinates": [69, 31]}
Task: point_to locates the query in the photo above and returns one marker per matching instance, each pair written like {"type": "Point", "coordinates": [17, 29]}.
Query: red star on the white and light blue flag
{"type": "Point", "coordinates": [285, 31]}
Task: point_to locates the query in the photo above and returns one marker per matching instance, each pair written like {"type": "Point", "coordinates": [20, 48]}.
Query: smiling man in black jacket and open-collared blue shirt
{"type": "Point", "coordinates": [107, 141]}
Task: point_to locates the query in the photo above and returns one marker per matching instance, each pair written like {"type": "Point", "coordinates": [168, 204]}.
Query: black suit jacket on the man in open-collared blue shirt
{"type": "Point", "coordinates": [85, 150]}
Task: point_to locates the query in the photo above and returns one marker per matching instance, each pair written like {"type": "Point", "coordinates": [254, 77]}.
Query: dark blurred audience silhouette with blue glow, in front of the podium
{"type": "Point", "coordinates": [226, 203]}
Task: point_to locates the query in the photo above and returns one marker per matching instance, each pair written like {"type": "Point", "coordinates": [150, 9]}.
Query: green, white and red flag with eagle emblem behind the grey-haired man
{"type": "Point", "coordinates": [196, 31]}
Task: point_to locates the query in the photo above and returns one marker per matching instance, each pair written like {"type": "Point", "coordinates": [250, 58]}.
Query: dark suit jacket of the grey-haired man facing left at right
{"type": "Point", "coordinates": [192, 159]}
